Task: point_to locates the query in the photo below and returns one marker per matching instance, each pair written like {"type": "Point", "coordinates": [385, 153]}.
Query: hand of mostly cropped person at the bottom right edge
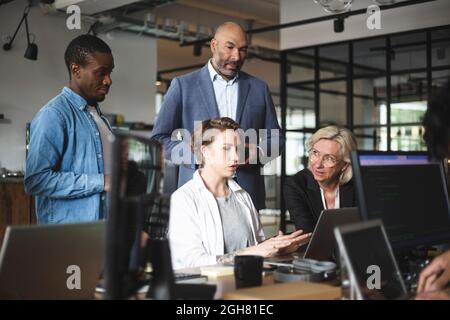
{"type": "Point", "coordinates": [436, 275]}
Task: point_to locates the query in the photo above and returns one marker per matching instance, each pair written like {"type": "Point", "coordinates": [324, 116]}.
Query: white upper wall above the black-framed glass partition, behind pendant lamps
{"type": "Point", "coordinates": [418, 16]}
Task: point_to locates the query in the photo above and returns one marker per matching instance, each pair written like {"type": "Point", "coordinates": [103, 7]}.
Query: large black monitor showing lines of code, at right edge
{"type": "Point", "coordinates": [407, 191]}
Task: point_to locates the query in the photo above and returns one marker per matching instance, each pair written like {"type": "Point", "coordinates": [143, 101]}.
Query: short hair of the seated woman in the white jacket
{"type": "Point", "coordinates": [199, 138]}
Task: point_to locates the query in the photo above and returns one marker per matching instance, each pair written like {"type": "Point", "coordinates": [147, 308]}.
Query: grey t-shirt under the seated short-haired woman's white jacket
{"type": "Point", "coordinates": [237, 232]}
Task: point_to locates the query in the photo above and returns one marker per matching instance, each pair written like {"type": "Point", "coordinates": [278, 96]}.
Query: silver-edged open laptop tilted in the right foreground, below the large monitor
{"type": "Point", "coordinates": [368, 262]}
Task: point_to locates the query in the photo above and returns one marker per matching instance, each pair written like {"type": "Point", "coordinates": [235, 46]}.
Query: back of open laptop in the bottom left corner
{"type": "Point", "coordinates": [61, 261]}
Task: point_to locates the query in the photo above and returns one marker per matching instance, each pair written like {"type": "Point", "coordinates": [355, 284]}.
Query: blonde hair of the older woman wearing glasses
{"type": "Point", "coordinates": [346, 140]}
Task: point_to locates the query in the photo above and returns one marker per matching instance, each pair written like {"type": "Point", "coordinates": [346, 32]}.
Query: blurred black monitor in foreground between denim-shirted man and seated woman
{"type": "Point", "coordinates": [136, 203]}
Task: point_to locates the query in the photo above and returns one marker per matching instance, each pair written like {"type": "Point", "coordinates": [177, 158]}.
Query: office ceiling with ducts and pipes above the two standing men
{"type": "Point", "coordinates": [181, 20]}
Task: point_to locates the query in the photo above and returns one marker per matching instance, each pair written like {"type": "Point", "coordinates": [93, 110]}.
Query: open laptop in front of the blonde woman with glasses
{"type": "Point", "coordinates": [322, 244]}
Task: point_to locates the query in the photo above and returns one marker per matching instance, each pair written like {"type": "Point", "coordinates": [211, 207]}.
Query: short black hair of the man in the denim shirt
{"type": "Point", "coordinates": [82, 47]}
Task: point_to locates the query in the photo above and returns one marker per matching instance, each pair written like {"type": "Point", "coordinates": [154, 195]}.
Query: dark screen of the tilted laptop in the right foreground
{"type": "Point", "coordinates": [372, 263]}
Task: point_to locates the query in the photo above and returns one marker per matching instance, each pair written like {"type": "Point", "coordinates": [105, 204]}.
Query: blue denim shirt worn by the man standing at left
{"type": "Point", "coordinates": [64, 167]}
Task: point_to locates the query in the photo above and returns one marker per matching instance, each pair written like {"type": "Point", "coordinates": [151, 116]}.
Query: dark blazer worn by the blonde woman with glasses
{"type": "Point", "coordinates": [304, 202]}
